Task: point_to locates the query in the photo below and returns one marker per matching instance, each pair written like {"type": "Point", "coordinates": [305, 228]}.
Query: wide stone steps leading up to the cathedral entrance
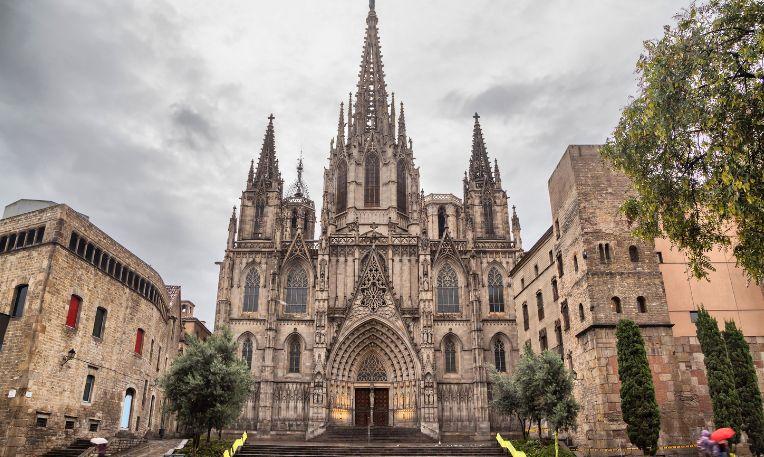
{"type": "Point", "coordinates": [354, 441]}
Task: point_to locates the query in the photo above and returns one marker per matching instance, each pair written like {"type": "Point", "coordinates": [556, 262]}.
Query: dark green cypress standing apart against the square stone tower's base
{"type": "Point", "coordinates": [638, 405]}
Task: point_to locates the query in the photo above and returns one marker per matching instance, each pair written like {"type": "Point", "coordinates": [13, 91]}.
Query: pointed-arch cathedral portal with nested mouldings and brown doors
{"type": "Point", "coordinates": [372, 378]}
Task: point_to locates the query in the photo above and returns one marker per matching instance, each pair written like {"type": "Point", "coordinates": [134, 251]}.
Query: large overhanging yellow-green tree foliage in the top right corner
{"type": "Point", "coordinates": [692, 141]}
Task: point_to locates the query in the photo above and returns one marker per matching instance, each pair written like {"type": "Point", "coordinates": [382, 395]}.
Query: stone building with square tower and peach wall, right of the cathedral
{"type": "Point", "coordinates": [587, 272]}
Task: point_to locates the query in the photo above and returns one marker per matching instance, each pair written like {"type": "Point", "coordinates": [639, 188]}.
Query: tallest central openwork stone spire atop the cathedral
{"type": "Point", "coordinates": [371, 100]}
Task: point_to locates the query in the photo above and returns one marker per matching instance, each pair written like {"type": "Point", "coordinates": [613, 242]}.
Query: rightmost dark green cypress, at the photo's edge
{"type": "Point", "coordinates": [747, 385]}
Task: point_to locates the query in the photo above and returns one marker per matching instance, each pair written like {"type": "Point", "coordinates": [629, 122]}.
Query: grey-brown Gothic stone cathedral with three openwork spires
{"type": "Point", "coordinates": [393, 312]}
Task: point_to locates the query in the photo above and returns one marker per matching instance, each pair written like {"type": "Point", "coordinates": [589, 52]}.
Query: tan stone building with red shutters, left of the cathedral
{"type": "Point", "coordinates": [77, 363]}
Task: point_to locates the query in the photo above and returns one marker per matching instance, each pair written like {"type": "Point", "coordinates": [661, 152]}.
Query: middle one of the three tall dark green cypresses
{"type": "Point", "coordinates": [721, 381]}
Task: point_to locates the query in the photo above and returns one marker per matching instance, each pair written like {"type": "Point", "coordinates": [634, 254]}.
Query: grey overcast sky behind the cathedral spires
{"type": "Point", "coordinates": [145, 114]}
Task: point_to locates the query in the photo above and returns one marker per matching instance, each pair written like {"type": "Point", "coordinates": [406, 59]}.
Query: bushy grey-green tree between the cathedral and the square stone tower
{"type": "Point", "coordinates": [540, 388]}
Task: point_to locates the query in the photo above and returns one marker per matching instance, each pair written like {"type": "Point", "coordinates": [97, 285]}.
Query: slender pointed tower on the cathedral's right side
{"type": "Point", "coordinates": [485, 202]}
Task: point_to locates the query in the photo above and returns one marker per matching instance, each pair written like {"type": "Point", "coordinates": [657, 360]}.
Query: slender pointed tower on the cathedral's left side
{"type": "Point", "coordinates": [261, 199]}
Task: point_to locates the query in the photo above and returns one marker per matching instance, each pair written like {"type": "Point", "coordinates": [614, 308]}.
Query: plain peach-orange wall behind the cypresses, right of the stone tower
{"type": "Point", "coordinates": [726, 294]}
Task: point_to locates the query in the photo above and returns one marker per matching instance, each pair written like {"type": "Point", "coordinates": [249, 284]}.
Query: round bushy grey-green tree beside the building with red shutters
{"type": "Point", "coordinates": [208, 384]}
